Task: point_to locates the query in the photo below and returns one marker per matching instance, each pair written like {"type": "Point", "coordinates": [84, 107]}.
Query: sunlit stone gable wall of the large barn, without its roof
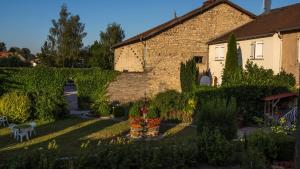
{"type": "Point", "coordinates": [162, 54]}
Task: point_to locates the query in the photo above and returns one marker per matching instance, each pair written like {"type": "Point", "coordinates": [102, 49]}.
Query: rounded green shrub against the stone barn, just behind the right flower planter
{"type": "Point", "coordinates": [169, 104]}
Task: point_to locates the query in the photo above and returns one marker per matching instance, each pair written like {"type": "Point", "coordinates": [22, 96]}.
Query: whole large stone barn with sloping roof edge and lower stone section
{"type": "Point", "coordinates": [151, 60]}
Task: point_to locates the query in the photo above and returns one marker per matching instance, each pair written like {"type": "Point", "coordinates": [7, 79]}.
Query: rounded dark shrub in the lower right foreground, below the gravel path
{"type": "Point", "coordinates": [263, 142]}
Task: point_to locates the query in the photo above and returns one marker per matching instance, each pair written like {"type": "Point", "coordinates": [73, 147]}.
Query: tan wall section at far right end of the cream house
{"type": "Point", "coordinates": [290, 61]}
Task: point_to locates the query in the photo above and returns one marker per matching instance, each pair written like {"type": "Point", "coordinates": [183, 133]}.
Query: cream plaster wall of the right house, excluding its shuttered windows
{"type": "Point", "coordinates": [271, 55]}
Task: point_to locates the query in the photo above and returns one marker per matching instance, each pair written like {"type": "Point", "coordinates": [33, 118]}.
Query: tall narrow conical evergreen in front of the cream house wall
{"type": "Point", "coordinates": [232, 71]}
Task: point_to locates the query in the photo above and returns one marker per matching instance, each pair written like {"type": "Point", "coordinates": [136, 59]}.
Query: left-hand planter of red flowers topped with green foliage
{"type": "Point", "coordinates": [136, 121]}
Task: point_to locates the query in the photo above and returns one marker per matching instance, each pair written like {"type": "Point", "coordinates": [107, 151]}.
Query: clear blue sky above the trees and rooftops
{"type": "Point", "coordinates": [26, 23]}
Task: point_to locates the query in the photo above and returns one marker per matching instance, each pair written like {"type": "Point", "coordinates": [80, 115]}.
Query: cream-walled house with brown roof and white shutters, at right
{"type": "Point", "coordinates": [272, 41]}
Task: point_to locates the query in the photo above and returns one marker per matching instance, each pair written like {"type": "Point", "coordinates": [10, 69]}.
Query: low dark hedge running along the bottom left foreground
{"type": "Point", "coordinates": [147, 155]}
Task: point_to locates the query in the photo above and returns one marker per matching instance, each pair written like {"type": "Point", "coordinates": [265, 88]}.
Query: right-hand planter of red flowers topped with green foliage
{"type": "Point", "coordinates": [152, 121]}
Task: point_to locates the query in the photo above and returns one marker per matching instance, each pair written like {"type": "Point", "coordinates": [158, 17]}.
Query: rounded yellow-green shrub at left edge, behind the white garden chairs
{"type": "Point", "coordinates": [16, 106]}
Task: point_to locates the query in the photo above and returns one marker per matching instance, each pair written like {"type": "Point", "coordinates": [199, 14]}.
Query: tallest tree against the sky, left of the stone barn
{"type": "Point", "coordinates": [65, 38]}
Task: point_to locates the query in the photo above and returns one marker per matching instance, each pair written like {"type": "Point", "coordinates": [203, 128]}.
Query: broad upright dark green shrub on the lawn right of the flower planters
{"type": "Point", "coordinates": [218, 113]}
